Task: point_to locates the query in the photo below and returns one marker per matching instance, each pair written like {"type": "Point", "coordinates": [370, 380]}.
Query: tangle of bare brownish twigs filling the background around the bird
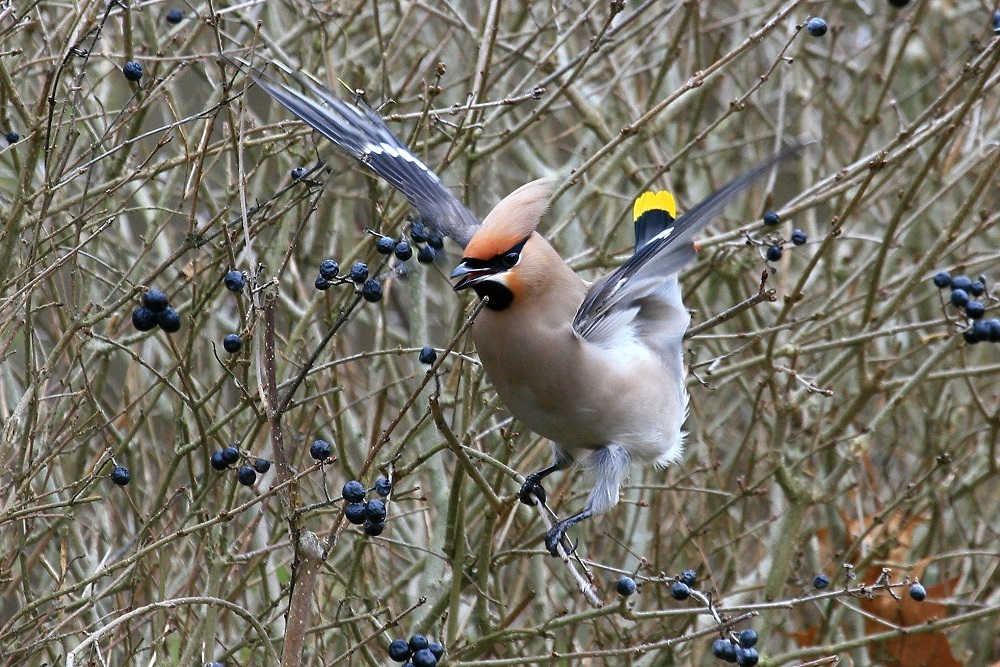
{"type": "Point", "coordinates": [841, 419]}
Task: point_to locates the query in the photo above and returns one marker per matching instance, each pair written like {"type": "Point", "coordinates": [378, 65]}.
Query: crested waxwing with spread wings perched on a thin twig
{"type": "Point", "coordinates": [595, 368]}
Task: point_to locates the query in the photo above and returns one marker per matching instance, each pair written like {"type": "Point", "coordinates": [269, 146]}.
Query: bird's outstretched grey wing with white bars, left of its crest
{"type": "Point", "coordinates": [362, 133]}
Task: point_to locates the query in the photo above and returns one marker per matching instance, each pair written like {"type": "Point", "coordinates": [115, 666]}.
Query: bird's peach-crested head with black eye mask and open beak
{"type": "Point", "coordinates": [504, 255]}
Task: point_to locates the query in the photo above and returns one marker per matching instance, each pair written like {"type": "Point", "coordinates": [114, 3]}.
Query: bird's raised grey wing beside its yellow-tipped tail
{"type": "Point", "coordinates": [643, 291]}
